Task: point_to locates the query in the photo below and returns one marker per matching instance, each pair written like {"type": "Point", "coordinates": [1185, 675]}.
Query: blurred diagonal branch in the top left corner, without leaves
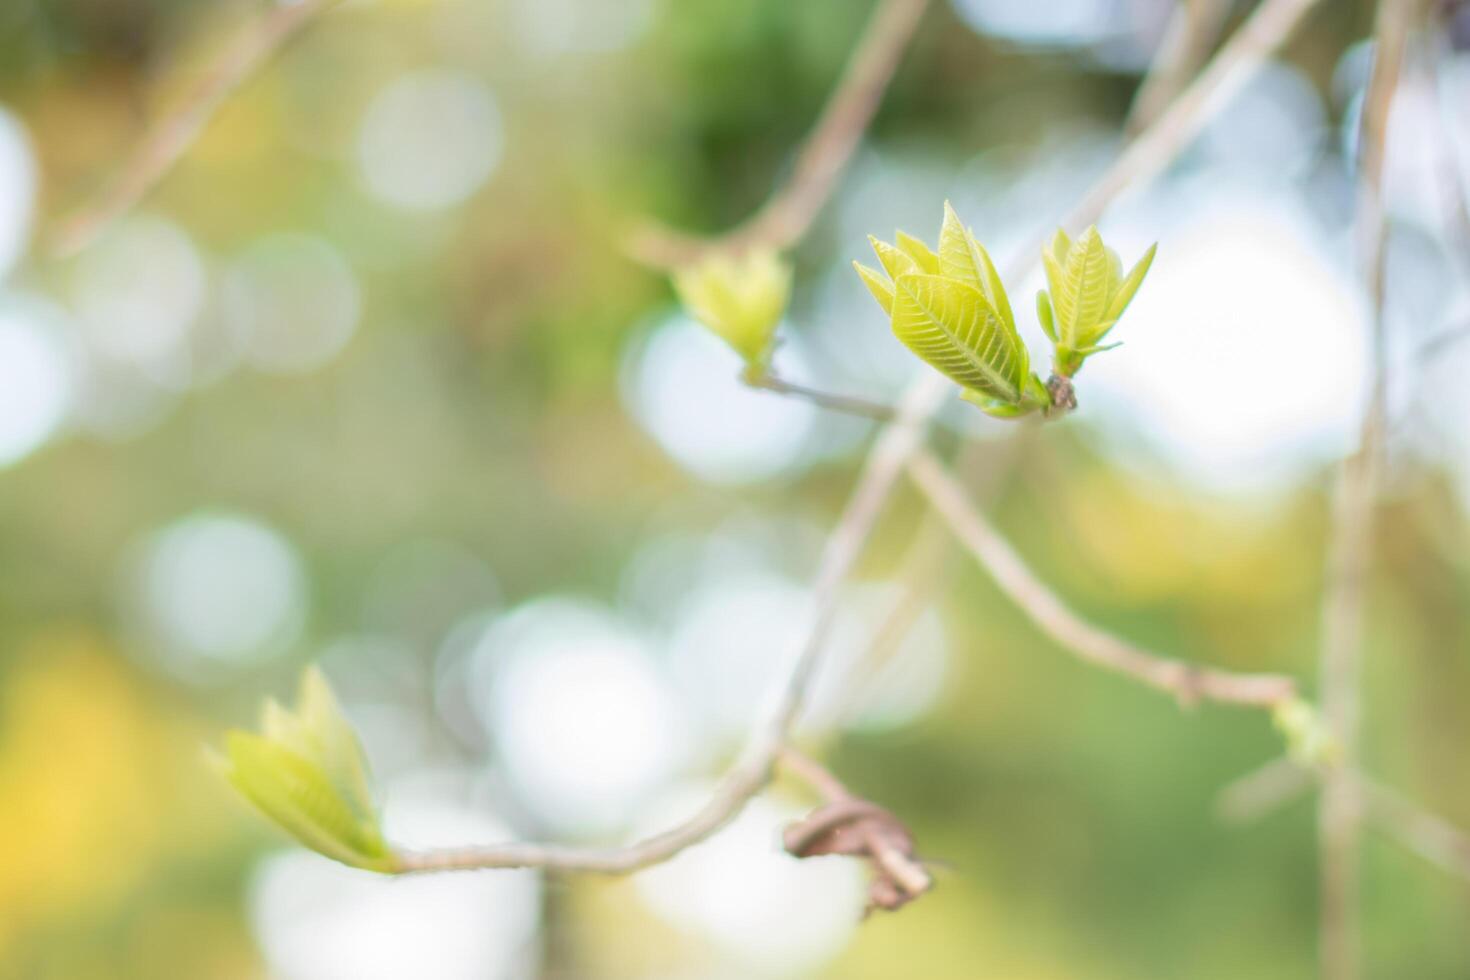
{"type": "Point", "coordinates": [171, 139]}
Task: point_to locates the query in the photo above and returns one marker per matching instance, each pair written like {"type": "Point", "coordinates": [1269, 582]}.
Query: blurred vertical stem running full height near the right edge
{"type": "Point", "coordinates": [1341, 657]}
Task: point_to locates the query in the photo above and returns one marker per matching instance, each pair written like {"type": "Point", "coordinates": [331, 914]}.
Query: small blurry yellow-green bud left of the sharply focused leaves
{"type": "Point", "coordinates": [740, 299]}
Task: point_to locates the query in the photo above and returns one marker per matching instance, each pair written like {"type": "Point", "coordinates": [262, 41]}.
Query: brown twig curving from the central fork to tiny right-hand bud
{"type": "Point", "coordinates": [1187, 682]}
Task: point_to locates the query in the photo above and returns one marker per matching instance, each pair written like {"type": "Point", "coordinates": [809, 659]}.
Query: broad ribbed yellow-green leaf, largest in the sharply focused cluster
{"type": "Point", "coordinates": [953, 328]}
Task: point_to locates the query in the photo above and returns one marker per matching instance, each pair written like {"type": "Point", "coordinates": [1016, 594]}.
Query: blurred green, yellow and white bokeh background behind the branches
{"type": "Point", "coordinates": [370, 381]}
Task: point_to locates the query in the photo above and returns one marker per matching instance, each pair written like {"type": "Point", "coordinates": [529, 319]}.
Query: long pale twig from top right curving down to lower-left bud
{"type": "Point", "coordinates": [1268, 29]}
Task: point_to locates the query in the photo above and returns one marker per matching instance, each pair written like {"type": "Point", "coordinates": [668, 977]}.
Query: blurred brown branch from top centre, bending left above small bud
{"type": "Point", "coordinates": [787, 214]}
